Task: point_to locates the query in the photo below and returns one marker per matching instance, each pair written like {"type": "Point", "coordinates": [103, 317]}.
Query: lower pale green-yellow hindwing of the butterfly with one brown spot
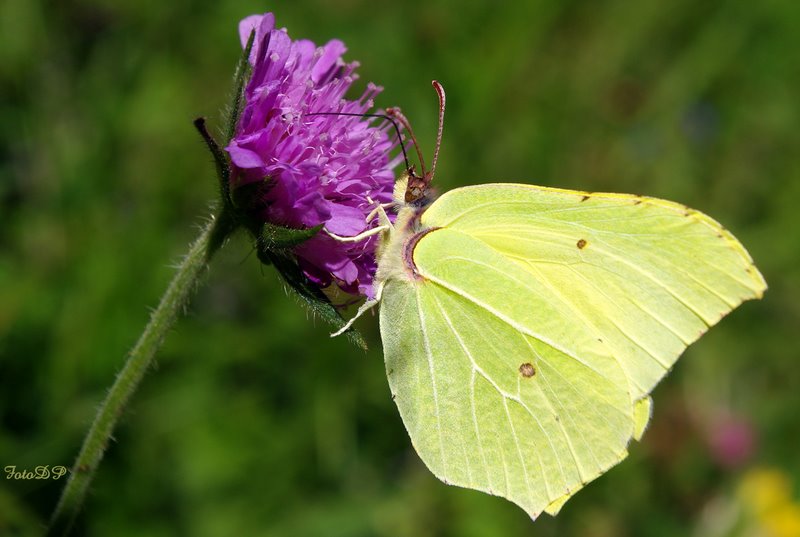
{"type": "Point", "coordinates": [489, 401]}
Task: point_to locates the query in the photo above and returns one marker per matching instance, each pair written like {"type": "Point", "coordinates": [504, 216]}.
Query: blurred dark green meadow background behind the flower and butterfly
{"type": "Point", "coordinates": [254, 421]}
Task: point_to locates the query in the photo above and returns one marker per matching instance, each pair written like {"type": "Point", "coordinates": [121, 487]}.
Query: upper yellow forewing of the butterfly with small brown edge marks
{"type": "Point", "coordinates": [645, 276]}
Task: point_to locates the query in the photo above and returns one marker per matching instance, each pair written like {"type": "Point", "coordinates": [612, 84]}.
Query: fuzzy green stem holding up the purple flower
{"type": "Point", "coordinates": [172, 303]}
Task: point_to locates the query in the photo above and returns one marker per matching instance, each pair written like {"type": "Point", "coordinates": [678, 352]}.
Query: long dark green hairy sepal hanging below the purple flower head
{"type": "Point", "coordinates": [308, 292]}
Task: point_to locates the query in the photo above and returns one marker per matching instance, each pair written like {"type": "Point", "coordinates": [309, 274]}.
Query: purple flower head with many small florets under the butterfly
{"type": "Point", "coordinates": [323, 169]}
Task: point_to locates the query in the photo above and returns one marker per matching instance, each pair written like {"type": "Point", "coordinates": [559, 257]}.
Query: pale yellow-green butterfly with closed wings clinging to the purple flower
{"type": "Point", "coordinates": [524, 327]}
